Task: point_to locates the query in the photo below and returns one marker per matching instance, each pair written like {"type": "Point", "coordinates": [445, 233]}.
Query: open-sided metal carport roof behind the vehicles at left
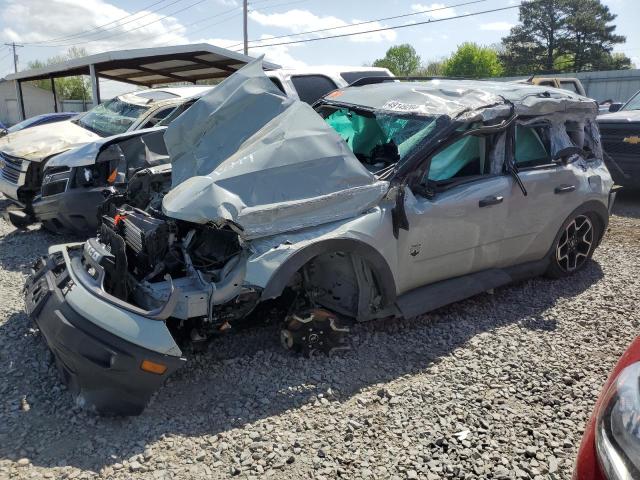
{"type": "Point", "coordinates": [149, 66]}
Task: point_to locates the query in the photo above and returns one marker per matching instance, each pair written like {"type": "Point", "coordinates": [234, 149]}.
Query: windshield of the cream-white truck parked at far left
{"type": "Point", "coordinates": [112, 117]}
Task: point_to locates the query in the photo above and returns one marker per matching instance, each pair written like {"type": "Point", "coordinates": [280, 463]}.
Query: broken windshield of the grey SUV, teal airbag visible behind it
{"type": "Point", "coordinates": [378, 139]}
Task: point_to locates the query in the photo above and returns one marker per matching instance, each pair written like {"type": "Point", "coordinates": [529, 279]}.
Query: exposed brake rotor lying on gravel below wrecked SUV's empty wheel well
{"type": "Point", "coordinates": [312, 332]}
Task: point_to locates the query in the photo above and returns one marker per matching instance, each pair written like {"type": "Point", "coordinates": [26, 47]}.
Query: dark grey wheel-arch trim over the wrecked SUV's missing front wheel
{"type": "Point", "coordinates": [380, 267]}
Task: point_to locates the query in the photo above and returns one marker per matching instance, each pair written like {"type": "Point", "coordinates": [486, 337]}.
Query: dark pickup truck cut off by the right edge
{"type": "Point", "coordinates": [620, 134]}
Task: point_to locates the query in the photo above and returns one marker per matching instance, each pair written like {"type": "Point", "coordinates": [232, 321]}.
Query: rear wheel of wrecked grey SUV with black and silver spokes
{"type": "Point", "coordinates": [574, 245]}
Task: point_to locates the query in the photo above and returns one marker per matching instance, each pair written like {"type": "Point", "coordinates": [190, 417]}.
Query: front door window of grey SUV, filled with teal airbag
{"type": "Point", "coordinates": [466, 157]}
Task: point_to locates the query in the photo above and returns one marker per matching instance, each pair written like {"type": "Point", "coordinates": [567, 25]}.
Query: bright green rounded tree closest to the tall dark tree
{"type": "Point", "coordinates": [473, 60]}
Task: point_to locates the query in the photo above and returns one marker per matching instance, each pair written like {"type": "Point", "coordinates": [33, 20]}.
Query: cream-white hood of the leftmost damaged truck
{"type": "Point", "coordinates": [39, 143]}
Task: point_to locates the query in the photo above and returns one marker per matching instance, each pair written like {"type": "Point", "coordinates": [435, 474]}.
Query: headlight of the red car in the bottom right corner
{"type": "Point", "coordinates": [618, 426]}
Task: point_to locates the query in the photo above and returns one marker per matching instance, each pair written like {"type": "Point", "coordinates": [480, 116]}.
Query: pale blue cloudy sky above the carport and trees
{"type": "Point", "coordinates": [49, 27]}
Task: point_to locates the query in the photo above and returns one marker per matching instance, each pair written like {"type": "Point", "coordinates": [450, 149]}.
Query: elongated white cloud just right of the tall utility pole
{"type": "Point", "coordinates": [298, 21]}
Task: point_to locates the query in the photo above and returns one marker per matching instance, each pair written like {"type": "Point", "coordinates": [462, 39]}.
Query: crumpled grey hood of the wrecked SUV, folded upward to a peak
{"type": "Point", "coordinates": [247, 155]}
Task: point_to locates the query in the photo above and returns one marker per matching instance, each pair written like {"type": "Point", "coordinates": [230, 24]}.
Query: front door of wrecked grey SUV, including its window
{"type": "Point", "coordinates": [459, 229]}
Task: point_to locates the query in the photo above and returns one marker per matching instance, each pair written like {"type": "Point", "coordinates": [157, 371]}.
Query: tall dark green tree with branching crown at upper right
{"type": "Point", "coordinates": [552, 32]}
